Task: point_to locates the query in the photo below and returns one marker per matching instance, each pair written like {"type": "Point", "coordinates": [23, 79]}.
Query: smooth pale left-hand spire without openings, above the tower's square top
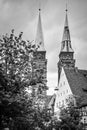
{"type": "Point", "coordinates": [39, 41]}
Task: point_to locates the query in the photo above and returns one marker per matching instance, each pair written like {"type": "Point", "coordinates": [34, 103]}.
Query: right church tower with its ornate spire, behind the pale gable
{"type": "Point", "coordinates": [66, 53]}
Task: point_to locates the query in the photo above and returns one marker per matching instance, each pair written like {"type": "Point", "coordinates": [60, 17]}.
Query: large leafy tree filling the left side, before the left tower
{"type": "Point", "coordinates": [18, 108]}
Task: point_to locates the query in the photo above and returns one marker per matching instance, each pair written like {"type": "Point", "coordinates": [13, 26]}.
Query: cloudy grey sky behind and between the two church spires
{"type": "Point", "coordinates": [22, 15]}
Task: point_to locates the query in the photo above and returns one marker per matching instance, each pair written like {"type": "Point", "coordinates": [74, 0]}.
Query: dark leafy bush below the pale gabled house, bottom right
{"type": "Point", "coordinates": [70, 117]}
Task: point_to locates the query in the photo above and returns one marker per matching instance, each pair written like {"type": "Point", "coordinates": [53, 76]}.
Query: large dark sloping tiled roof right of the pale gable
{"type": "Point", "coordinates": [78, 82]}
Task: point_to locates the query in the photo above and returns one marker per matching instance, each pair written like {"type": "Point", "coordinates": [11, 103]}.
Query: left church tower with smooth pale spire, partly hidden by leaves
{"type": "Point", "coordinates": [40, 61]}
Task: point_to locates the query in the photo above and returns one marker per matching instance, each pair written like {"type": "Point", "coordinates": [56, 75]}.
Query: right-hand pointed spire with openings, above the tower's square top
{"type": "Point", "coordinates": [66, 40]}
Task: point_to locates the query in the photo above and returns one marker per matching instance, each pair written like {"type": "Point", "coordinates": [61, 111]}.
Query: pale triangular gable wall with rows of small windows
{"type": "Point", "coordinates": [64, 91]}
